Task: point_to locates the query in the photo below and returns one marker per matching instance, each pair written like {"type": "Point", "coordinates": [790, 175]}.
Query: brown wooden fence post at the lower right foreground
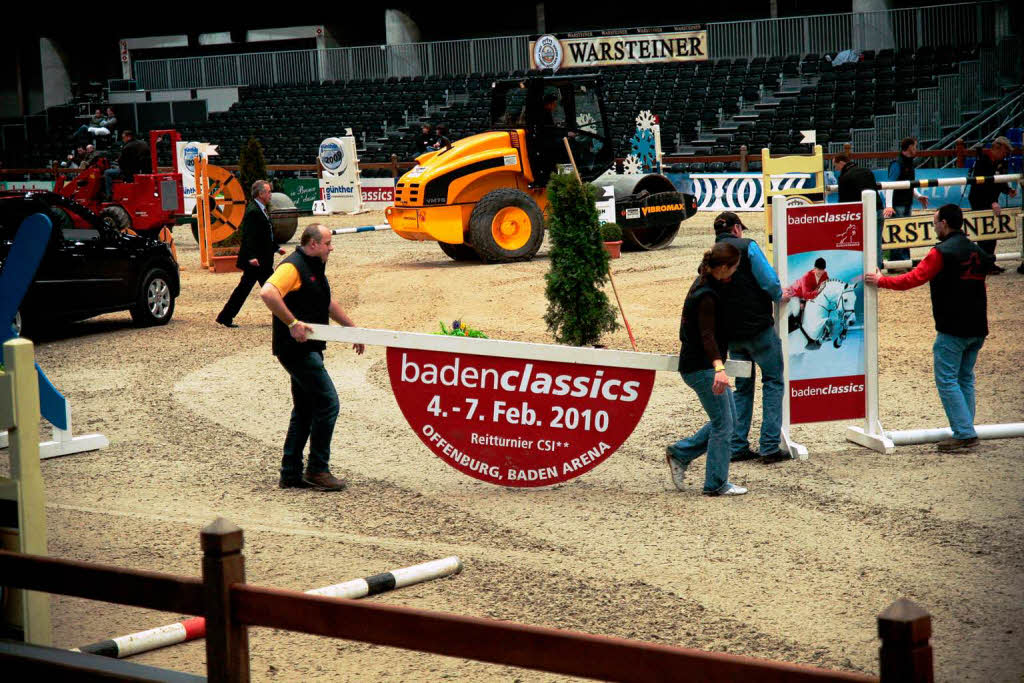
{"type": "Point", "coordinates": [906, 656]}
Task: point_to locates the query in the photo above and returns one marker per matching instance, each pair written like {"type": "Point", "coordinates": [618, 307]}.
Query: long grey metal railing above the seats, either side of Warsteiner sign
{"type": "Point", "coordinates": [958, 25]}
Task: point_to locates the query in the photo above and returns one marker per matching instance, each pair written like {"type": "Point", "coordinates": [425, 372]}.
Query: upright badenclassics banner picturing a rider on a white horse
{"type": "Point", "coordinates": [826, 324]}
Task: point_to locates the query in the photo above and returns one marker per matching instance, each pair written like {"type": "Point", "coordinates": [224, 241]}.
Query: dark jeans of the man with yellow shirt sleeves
{"type": "Point", "coordinates": [315, 410]}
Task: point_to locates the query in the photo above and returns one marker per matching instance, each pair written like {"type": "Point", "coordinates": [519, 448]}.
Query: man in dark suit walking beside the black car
{"type": "Point", "coordinates": [257, 252]}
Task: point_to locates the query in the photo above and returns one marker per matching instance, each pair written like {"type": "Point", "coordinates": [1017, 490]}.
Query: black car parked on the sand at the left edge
{"type": "Point", "coordinates": [90, 268]}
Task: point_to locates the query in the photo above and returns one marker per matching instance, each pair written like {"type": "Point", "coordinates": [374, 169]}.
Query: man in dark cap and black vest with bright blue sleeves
{"type": "Point", "coordinates": [747, 301]}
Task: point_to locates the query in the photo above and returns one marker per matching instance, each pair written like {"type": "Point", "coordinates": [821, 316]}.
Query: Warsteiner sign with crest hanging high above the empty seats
{"type": "Point", "coordinates": [620, 47]}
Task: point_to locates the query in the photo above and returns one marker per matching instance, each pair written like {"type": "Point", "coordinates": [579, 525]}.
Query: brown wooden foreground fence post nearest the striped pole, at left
{"type": "Point", "coordinates": [227, 641]}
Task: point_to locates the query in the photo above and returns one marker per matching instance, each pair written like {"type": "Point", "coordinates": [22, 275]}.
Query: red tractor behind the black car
{"type": "Point", "coordinates": [147, 204]}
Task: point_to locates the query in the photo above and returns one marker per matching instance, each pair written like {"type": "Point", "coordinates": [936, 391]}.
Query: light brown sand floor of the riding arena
{"type": "Point", "coordinates": [797, 571]}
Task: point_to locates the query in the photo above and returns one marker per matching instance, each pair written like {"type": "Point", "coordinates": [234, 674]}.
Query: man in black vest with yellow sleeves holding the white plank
{"type": "Point", "coordinates": [298, 293]}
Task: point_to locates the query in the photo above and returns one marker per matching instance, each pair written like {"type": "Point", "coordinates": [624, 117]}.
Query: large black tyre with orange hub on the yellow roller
{"type": "Point", "coordinates": [506, 226]}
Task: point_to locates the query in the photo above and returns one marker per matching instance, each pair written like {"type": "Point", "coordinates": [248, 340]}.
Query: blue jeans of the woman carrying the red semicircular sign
{"type": "Point", "coordinates": [714, 437]}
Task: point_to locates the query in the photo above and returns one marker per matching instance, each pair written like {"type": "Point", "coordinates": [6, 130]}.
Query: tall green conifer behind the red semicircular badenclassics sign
{"type": "Point", "coordinates": [579, 312]}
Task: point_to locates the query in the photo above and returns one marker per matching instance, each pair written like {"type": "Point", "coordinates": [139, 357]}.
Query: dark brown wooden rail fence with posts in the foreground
{"type": "Point", "coordinates": [231, 607]}
